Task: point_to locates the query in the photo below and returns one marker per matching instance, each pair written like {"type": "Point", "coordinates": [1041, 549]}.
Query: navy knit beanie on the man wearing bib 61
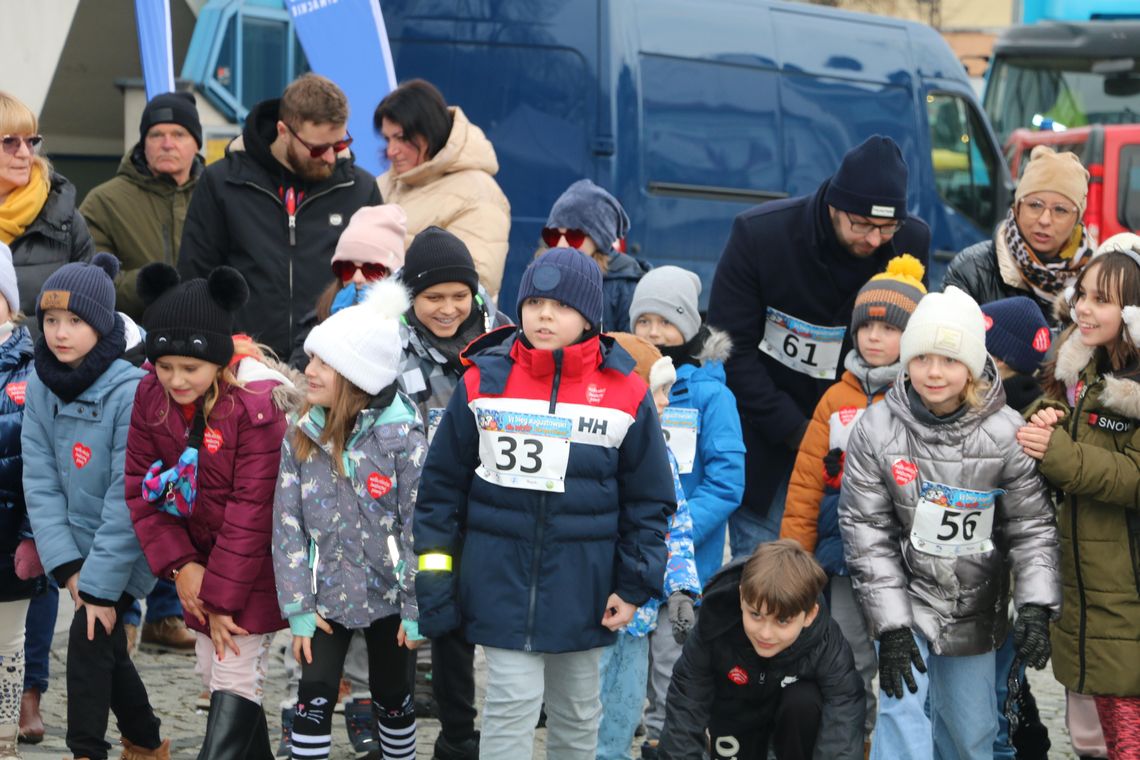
{"type": "Point", "coordinates": [872, 181]}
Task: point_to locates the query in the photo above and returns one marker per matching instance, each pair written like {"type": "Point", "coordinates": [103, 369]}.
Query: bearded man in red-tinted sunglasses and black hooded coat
{"type": "Point", "coordinates": [275, 207]}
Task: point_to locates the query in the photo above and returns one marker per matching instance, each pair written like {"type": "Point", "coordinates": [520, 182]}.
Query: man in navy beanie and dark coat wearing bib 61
{"type": "Point", "coordinates": [785, 291]}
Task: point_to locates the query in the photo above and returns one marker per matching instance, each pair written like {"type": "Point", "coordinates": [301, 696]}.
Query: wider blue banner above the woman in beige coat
{"type": "Point", "coordinates": [347, 42]}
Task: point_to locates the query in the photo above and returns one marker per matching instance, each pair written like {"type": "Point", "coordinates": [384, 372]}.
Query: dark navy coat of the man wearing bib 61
{"type": "Point", "coordinates": [785, 256]}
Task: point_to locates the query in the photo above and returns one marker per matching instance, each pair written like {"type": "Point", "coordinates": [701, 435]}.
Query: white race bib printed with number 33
{"type": "Point", "coordinates": [524, 451]}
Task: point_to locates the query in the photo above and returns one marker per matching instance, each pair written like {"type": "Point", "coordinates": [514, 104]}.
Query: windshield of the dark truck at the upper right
{"type": "Point", "coordinates": [1062, 93]}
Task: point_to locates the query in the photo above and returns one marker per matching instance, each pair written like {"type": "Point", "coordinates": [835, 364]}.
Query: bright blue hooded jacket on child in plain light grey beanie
{"type": "Point", "coordinates": [716, 485]}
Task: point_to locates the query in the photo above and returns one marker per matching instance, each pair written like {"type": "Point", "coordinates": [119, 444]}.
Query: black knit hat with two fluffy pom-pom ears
{"type": "Point", "coordinates": [194, 318]}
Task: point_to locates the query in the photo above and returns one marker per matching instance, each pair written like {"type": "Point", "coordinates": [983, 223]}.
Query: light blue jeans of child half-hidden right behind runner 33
{"type": "Point", "coordinates": [624, 669]}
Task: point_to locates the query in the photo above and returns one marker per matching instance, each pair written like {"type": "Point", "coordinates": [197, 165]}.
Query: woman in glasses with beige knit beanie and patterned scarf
{"type": "Point", "coordinates": [1041, 247]}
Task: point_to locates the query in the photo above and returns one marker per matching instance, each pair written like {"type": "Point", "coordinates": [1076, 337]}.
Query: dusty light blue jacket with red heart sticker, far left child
{"type": "Point", "coordinates": [76, 494]}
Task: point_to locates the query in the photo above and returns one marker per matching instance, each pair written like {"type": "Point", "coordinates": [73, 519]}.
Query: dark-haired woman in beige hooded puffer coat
{"type": "Point", "coordinates": [443, 170]}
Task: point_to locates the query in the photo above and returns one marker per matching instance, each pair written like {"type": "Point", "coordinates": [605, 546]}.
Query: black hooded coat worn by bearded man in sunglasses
{"type": "Point", "coordinates": [238, 218]}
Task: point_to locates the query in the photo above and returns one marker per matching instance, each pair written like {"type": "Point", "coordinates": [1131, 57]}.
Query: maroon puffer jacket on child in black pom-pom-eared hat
{"type": "Point", "coordinates": [231, 528]}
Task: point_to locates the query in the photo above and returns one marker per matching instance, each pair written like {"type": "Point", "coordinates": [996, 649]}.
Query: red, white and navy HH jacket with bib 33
{"type": "Point", "coordinates": [547, 489]}
